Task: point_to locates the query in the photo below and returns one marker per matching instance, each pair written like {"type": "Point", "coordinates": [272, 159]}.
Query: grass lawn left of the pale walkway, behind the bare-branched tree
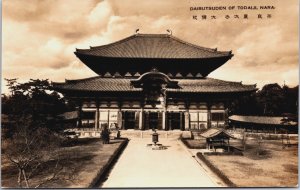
{"type": "Point", "coordinates": [86, 157]}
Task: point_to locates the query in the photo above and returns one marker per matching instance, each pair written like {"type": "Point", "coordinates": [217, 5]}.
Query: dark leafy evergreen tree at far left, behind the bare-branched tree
{"type": "Point", "coordinates": [35, 99]}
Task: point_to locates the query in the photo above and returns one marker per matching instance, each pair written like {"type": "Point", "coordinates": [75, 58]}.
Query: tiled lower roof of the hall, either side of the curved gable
{"type": "Point", "coordinates": [205, 85]}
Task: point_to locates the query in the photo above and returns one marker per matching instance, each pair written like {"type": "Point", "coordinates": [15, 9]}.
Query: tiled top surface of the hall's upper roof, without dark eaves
{"type": "Point", "coordinates": [161, 46]}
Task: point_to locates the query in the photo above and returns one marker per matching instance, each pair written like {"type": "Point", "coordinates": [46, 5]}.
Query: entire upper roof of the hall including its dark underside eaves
{"type": "Point", "coordinates": [142, 52]}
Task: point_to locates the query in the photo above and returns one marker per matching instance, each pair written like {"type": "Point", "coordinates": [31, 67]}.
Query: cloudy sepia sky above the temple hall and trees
{"type": "Point", "coordinates": [39, 37]}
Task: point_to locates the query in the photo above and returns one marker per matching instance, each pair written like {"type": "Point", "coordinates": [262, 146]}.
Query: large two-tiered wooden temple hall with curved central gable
{"type": "Point", "coordinates": [152, 81]}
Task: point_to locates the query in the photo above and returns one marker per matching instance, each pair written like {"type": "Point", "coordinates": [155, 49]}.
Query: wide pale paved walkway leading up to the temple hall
{"type": "Point", "coordinates": [140, 166]}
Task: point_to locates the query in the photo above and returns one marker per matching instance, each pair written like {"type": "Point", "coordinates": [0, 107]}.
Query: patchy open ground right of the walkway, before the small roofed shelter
{"type": "Point", "coordinates": [273, 167]}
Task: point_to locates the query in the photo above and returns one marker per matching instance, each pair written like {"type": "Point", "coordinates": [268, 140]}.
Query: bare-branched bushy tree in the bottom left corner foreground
{"type": "Point", "coordinates": [34, 152]}
